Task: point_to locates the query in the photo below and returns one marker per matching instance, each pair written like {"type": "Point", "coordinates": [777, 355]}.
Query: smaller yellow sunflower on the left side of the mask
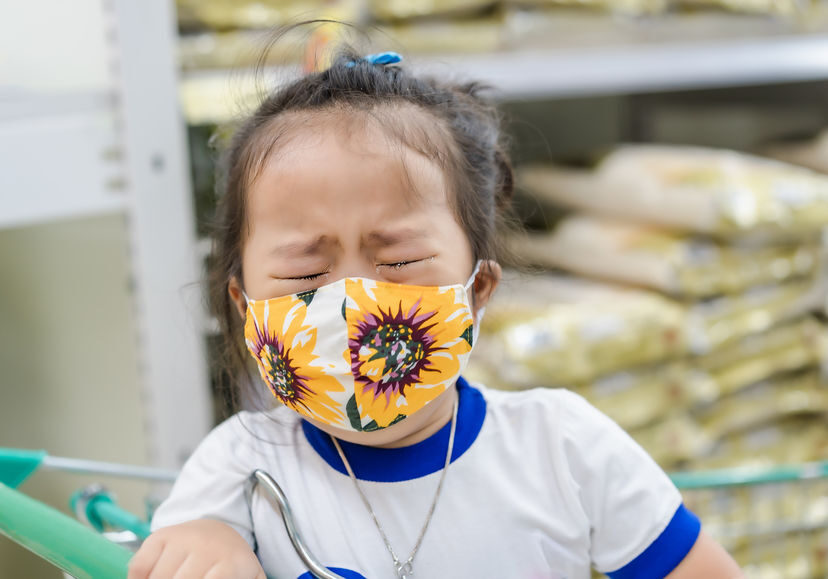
{"type": "Point", "coordinates": [283, 348]}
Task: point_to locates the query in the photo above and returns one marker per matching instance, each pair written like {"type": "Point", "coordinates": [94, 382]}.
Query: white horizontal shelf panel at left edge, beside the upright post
{"type": "Point", "coordinates": [61, 158]}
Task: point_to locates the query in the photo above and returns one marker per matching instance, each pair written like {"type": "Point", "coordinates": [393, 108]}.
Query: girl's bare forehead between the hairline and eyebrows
{"type": "Point", "coordinates": [391, 171]}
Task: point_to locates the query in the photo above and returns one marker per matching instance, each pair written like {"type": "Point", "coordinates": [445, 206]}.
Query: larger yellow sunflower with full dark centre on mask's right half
{"type": "Point", "coordinates": [404, 347]}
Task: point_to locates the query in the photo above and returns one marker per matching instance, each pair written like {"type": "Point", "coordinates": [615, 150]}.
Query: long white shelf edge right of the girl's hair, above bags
{"type": "Point", "coordinates": [645, 67]}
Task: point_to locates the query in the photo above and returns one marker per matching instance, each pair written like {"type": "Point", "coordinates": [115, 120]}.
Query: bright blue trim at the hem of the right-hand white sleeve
{"type": "Point", "coordinates": [666, 552]}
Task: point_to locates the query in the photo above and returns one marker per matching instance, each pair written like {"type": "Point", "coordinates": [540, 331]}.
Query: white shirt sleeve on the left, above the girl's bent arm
{"type": "Point", "coordinates": [212, 484]}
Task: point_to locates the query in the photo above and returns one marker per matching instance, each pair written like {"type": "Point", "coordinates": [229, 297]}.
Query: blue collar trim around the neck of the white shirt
{"type": "Point", "coordinates": [406, 463]}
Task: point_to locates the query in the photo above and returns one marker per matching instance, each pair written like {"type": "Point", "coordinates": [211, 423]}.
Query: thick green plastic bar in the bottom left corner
{"type": "Point", "coordinates": [61, 540]}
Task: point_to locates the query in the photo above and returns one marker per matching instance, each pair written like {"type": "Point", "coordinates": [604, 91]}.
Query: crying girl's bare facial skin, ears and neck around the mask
{"type": "Point", "coordinates": [333, 204]}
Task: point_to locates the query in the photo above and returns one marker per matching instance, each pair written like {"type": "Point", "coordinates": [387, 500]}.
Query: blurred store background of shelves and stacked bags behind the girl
{"type": "Point", "coordinates": [670, 159]}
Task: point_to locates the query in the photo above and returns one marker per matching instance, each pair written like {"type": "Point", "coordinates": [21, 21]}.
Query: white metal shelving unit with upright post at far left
{"type": "Point", "coordinates": [83, 135]}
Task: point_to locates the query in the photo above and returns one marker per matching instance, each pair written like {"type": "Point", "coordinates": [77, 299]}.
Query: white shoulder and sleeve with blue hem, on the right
{"type": "Point", "coordinates": [628, 501]}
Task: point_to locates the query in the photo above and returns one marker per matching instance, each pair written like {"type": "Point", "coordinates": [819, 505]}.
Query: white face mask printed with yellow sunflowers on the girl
{"type": "Point", "coordinates": [361, 354]}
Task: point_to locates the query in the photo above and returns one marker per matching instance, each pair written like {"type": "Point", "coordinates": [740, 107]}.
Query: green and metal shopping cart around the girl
{"type": "Point", "coordinates": [773, 520]}
